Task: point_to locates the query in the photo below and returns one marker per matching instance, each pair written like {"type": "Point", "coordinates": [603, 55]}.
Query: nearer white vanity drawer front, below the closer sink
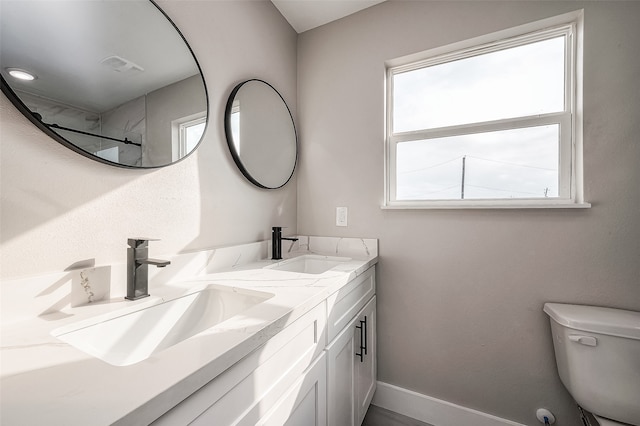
{"type": "Point", "coordinates": [245, 392]}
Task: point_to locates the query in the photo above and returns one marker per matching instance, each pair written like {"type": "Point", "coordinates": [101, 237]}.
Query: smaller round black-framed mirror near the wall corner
{"type": "Point", "coordinates": [261, 134]}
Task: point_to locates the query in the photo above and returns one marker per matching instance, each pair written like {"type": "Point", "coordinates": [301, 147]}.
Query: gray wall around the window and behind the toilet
{"type": "Point", "coordinates": [461, 292]}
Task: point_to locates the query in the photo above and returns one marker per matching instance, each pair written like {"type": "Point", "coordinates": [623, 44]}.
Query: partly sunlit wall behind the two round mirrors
{"type": "Point", "coordinates": [58, 208]}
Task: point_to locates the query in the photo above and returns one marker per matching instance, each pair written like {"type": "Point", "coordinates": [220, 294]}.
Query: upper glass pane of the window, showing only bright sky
{"type": "Point", "coordinates": [514, 82]}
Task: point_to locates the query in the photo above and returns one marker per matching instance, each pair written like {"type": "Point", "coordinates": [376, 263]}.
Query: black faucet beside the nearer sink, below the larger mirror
{"type": "Point", "coordinates": [137, 268]}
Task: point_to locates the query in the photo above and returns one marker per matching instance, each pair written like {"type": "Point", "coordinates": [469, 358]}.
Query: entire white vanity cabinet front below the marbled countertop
{"type": "Point", "coordinates": [318, 370]}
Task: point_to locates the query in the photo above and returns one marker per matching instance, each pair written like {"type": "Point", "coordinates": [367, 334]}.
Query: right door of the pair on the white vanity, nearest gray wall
{"type": "Point", "coordinates": [365, 365]}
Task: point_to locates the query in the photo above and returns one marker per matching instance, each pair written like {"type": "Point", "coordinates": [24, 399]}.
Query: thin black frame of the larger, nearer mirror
{"type": "Point", "coordinates": [17, 102]}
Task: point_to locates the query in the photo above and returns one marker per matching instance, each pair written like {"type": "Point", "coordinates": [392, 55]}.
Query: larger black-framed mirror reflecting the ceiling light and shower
{"type": "Point", "coordinates": [113, 80]}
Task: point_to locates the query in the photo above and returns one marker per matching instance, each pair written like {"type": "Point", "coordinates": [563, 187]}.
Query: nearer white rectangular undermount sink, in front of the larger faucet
{"type": "Point", "coordinates": [127, 338]}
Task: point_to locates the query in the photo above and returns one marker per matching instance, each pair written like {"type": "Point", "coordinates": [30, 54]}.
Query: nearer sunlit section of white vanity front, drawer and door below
{"type": "Point", "coordinates": [281, 382]}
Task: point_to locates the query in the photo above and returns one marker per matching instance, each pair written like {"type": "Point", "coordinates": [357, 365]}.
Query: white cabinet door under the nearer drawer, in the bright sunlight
{"type": "Point", "coordinates": [304, 404]}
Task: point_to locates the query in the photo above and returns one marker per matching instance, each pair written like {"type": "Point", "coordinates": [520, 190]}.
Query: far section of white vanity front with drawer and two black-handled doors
{"type": "Point", "coordinates": [351, 355]}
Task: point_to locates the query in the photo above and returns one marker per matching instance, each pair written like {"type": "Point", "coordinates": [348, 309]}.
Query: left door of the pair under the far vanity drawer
{"type": "Point", "coordinates": [341, 376]}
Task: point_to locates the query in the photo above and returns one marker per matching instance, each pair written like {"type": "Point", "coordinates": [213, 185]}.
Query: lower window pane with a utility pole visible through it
{"type": "Point", "coordinates": [514, 163]}
